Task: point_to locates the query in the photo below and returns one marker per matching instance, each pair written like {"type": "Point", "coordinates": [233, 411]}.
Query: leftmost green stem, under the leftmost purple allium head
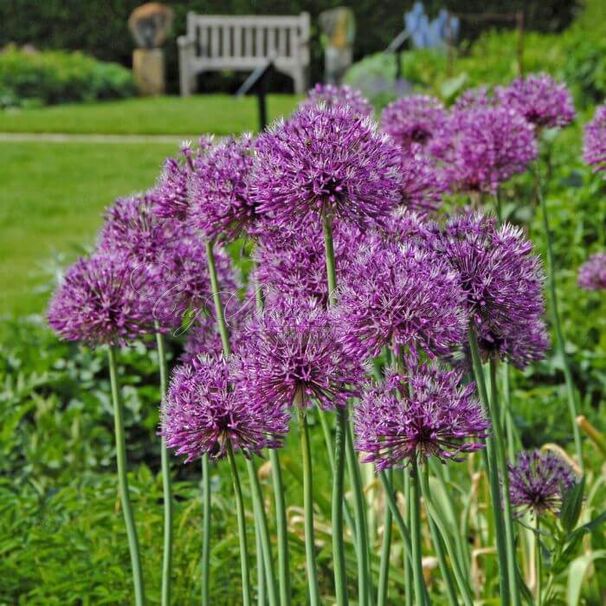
{"type": "Point", "coordinates": [131, 530]}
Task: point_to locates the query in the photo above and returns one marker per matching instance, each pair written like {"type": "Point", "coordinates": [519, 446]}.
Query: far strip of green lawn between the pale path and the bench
{"type": "Point", "coordinates": [219, 114]}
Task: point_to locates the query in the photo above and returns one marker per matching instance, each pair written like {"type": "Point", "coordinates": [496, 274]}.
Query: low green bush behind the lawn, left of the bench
{"type": "Point", "coordinates": [50, 77]}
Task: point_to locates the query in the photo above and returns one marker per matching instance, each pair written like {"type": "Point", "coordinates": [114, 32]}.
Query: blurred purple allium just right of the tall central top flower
{"type": "Point", "coordinates": [413, 119]}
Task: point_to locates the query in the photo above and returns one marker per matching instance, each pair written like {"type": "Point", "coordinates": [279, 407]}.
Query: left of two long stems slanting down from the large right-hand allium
{"type": "Point", "coordinates": [490, 462]}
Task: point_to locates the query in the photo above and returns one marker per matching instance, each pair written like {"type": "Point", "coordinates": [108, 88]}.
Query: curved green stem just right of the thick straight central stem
{"type": "Point", "coordinates": [364, 583]}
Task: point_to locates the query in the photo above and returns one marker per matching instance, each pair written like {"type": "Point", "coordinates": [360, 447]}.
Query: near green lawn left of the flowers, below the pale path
{"type": "Point", "coordinates": [51, 201]}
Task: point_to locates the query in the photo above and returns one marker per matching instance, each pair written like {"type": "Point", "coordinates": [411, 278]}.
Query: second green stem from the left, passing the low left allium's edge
{"type": "Point", "coordinates": [166, 487]}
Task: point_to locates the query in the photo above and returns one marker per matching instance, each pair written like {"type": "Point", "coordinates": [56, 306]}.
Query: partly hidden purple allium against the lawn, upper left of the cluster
{"type": "Point", "coordinates": [172, 190]}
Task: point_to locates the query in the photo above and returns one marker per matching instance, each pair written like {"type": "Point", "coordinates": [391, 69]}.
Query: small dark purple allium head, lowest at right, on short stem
{"type": "Point", "coordinates": [538, 481]}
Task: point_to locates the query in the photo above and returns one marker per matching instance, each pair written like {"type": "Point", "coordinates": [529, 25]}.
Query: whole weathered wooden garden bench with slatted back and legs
{"type": "Point", "coordinates": [217, 42]}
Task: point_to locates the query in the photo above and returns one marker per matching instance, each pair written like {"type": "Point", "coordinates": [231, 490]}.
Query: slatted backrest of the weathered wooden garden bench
{"type": "Point", "coordinates": [241, 42]}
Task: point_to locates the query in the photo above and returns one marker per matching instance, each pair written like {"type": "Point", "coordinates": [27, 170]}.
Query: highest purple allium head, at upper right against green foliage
{"type": "Point", "coordinates": [544, 102]}
